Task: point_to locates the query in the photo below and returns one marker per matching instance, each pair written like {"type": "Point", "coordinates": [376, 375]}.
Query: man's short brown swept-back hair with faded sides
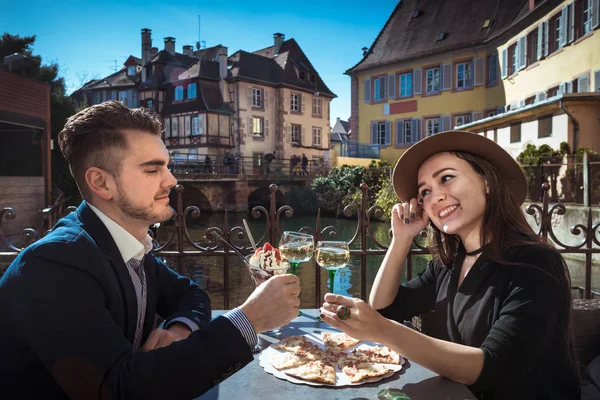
{"type": "Point", "coordinates": [94, 138]}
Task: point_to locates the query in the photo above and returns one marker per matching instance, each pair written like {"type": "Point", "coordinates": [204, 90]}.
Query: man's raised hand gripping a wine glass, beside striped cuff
{"type": "Point", "coordinates": [273, 303]}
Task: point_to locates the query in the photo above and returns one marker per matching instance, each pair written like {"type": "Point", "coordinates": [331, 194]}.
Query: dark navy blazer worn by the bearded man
{"type": "Point", "coordinates": [68, 314]}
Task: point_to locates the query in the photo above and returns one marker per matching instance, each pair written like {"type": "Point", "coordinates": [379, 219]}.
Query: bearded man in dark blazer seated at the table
{"type": "Point", "coordinates": [77, 307]}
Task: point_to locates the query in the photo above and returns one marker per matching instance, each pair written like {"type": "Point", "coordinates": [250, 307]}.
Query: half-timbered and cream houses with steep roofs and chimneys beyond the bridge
{"type": "Point", "coordinates": [244, 105]}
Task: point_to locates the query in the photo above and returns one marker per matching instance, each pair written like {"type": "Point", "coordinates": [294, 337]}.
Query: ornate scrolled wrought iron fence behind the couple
{"type": "Point", "coordinates": [179, 246]}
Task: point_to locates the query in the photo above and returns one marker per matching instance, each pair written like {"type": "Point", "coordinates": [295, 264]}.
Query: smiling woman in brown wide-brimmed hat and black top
{"type": "Point", "coordinates": [501, 295]}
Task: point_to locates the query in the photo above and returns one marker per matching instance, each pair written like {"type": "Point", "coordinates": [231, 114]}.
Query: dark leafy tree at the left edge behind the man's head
{"type": "Point", "coordinates": [61, 106]}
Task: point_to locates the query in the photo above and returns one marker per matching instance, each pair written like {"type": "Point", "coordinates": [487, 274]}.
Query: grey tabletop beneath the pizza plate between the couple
{"type": "Point", "coordinates": [252, 382]}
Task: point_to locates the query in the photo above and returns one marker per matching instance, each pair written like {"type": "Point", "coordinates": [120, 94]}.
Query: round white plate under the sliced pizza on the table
{"type": "Point", "coordinates": [341, 378]}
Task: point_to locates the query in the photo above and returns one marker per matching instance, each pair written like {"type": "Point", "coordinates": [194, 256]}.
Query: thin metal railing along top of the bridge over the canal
{"type": "Point", "coordinates": [199, 164]}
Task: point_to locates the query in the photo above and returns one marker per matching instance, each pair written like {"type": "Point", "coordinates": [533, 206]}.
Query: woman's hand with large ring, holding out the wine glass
{"type": "Point", "coordinates": [364, 322]}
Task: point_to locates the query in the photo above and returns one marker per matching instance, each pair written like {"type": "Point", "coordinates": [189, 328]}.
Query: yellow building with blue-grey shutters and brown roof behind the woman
{"type": "Point", "coordinates": [434, 67]}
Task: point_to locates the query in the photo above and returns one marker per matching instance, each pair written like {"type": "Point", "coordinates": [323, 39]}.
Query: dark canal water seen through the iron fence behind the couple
{"type": "Point", "coordinates": [208, 271]}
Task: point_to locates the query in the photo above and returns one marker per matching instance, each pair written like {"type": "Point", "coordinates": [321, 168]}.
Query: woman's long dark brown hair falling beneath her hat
{"type": "Point", "coordinates": [504, 226]}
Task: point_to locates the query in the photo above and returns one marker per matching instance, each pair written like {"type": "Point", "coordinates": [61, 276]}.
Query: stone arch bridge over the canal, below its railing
{"type": "Point", "coordinates": [234, 193]}
